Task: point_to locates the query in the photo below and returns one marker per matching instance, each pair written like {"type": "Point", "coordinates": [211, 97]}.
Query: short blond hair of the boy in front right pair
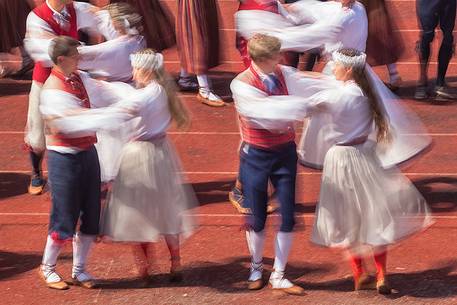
{"type": "Point", "coordinates": [261, 47]}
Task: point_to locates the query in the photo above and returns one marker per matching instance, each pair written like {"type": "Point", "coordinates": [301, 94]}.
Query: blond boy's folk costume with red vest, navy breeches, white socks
{"type": "Point", "coordinates": [268, 152]}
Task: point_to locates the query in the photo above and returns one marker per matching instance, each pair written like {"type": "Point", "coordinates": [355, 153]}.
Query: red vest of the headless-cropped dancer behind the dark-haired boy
{"type": "Point", "coordinates": [41, 73]}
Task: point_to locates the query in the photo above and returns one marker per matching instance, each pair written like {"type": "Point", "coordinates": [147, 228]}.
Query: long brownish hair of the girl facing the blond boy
{"type": "Point", "coordinates": [359, 75]}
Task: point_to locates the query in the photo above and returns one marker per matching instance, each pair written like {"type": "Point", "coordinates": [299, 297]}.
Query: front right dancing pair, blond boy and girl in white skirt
{"type": "Point", "coordinates": [362, 206]}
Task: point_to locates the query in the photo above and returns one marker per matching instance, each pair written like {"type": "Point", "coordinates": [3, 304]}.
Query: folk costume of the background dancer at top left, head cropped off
{"type": "Point", "coordinates": [43, 24]}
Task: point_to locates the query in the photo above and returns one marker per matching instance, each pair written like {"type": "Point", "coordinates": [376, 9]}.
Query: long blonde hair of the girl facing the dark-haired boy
{"type": "Point", "coordinates": [178, 111]}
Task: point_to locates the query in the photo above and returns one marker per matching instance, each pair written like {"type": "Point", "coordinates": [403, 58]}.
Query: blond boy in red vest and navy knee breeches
{"type": "Point", "coordinates": [266, 155]}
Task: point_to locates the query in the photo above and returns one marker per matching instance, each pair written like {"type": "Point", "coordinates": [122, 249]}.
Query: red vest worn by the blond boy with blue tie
{"type": "Point", "coordinates": [261, 137]}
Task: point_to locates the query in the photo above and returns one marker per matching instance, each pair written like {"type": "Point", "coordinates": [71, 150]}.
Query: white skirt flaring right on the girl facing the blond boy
{"type": "Point", "coordinates": [362, 204]}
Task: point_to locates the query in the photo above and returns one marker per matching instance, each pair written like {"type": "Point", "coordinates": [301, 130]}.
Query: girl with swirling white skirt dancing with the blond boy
{"type": "Point", "coordinates": [362, 206]}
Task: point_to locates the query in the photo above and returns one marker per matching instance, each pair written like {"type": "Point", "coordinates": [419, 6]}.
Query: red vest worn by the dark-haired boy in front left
{"type": "Point", "coordinates": [75, 86]}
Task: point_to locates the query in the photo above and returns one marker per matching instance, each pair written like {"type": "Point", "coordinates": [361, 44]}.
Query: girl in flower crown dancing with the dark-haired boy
{"type": "Point", "coordinates": [148, 198]}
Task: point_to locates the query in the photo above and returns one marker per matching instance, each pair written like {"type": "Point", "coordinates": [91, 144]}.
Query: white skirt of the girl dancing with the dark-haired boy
{"type": "Point", "coordinates": [148, 197]}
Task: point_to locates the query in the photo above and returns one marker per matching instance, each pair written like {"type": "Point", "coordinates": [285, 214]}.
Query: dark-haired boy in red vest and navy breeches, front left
{"type": "Point", "coordinates": [74, 171]}
